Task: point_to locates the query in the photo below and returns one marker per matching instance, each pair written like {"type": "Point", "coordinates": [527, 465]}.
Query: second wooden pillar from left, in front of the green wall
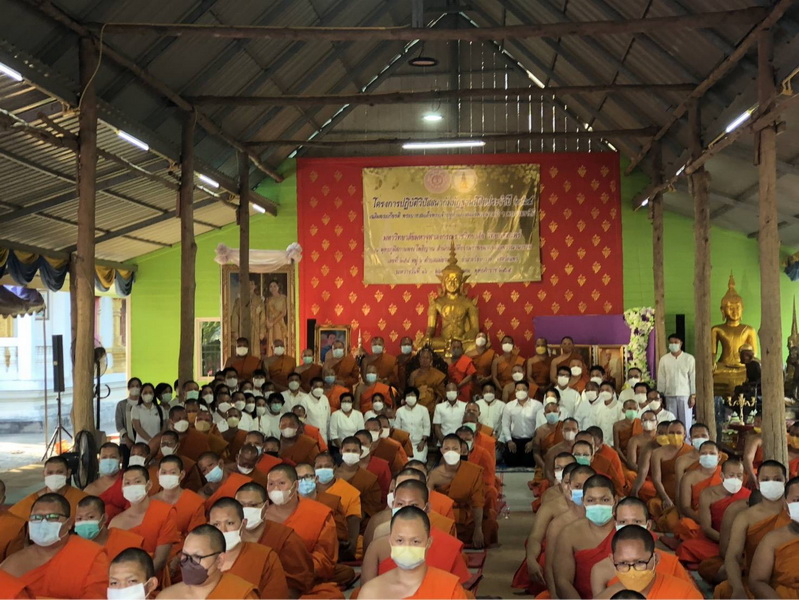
{"type": "Point", "coordinates": [188, 250]}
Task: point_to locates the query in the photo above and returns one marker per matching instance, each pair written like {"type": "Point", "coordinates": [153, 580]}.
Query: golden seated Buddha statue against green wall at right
{"type": "Point", "coordinates": [728, 370]}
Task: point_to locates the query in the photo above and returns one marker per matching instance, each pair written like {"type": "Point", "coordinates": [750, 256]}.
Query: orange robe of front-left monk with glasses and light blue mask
{"type": "Point", "coordinates": [78, 570]}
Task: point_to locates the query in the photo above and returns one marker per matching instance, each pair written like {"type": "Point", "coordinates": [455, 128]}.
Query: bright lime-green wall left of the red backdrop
{"type": "Point", "coordinates": [155, 301]}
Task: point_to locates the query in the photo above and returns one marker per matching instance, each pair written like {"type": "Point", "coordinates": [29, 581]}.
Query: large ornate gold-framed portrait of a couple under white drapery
{"type": "Point", "coordinates": [272, 310]}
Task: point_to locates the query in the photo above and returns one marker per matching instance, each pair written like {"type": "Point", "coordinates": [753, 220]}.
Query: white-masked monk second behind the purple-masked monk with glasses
{"type": "Point", "coordinates": [287, 544]}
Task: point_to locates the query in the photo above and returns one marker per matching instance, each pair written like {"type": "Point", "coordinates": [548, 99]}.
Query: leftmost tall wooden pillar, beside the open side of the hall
{"type": "Point", "coordinates": [83, 367]}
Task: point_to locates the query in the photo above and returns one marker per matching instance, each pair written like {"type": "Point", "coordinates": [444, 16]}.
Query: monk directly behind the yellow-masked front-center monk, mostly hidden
{"type": "Point", "coordinates": [446, 551]}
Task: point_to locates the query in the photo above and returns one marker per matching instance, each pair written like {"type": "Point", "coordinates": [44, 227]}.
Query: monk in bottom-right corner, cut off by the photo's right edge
{"type": "Point", "coordinates": [773, 573]}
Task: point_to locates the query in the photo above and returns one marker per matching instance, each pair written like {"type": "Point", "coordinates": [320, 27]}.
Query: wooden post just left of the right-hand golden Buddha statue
{"type": "Point", "coordinates": [705, 355]}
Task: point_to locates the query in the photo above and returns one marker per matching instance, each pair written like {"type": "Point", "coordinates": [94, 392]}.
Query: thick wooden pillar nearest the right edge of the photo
{"type": "Point", "coordinates": [768, 239]}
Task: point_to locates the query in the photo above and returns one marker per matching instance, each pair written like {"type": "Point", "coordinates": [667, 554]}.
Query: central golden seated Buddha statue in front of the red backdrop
{"type": "Point", "coordinates": [457, 313]}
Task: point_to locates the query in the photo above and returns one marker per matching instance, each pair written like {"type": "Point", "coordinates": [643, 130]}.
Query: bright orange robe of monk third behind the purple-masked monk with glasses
{"type": "Point", "coordinates": [314, 523]}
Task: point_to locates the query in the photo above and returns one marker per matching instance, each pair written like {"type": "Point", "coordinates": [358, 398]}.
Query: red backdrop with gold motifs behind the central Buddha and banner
{"type": "Point", "coordinates": [581, 249]}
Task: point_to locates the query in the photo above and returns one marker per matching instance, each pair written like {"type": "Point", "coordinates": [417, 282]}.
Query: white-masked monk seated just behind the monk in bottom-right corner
{"type": "Point", "coordinates": [751, 526]}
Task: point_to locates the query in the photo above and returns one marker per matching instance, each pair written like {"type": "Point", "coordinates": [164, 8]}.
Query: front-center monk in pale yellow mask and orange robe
{"type": "Point", "coordinates": [410, 542]}
